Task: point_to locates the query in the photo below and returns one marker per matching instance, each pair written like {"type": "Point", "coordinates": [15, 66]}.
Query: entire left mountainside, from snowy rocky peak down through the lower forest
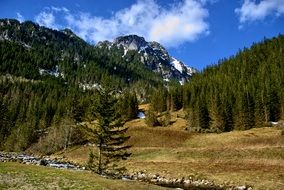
{"type": "Point", "coordinates": [50, 79]}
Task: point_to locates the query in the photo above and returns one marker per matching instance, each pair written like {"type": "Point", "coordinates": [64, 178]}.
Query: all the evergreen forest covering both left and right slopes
{"type": "Point", "coordinates": [51, 80]}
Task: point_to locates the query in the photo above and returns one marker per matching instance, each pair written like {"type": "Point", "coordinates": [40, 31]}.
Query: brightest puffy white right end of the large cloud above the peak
{"type": "Point", "coordinates": [183, 23]}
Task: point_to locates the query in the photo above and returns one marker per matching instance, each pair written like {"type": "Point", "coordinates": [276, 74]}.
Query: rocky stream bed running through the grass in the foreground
{"type": "Point", "coordinates": [183, 183]}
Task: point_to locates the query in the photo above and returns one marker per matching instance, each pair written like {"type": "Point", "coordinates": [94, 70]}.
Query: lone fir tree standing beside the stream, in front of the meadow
{"type": "Point", "coordinates": [109, 135]}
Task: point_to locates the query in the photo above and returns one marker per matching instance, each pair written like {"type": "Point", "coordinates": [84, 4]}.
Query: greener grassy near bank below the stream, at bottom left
{"type": "Point", "coordinates": [19, 176]}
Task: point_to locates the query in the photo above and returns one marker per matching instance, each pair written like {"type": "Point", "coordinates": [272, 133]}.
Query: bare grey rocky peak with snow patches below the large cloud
{"type": "Point", "coordinates": [154, 56]}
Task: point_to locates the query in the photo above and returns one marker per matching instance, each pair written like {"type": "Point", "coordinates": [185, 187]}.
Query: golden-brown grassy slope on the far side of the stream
{"type": "Point", "coordinates": [254, 157]}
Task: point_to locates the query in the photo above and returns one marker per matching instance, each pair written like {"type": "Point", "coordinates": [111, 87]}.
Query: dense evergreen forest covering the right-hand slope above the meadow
{"type": "Point", "coordinates": [242, 92]}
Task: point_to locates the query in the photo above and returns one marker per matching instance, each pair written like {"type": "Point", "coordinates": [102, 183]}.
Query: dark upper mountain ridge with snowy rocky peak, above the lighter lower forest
{"type": "Point", "coordinates": [62, 54]}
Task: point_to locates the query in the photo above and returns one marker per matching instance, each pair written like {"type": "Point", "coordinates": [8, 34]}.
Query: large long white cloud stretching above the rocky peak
{"type": "Point", "coordinates": [178, 23]}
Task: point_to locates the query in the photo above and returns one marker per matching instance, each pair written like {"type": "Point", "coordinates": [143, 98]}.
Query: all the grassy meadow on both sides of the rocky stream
{"type": "Point", "coordinates": [252, 158]}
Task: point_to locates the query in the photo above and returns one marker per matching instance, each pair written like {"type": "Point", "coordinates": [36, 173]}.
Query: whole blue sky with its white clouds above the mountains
{"type": "Point", "coordinates": [197, 32]}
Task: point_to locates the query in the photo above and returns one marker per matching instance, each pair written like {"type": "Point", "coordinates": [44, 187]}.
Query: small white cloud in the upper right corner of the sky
{"type": "Point", "coordinates": [252, 11]}
